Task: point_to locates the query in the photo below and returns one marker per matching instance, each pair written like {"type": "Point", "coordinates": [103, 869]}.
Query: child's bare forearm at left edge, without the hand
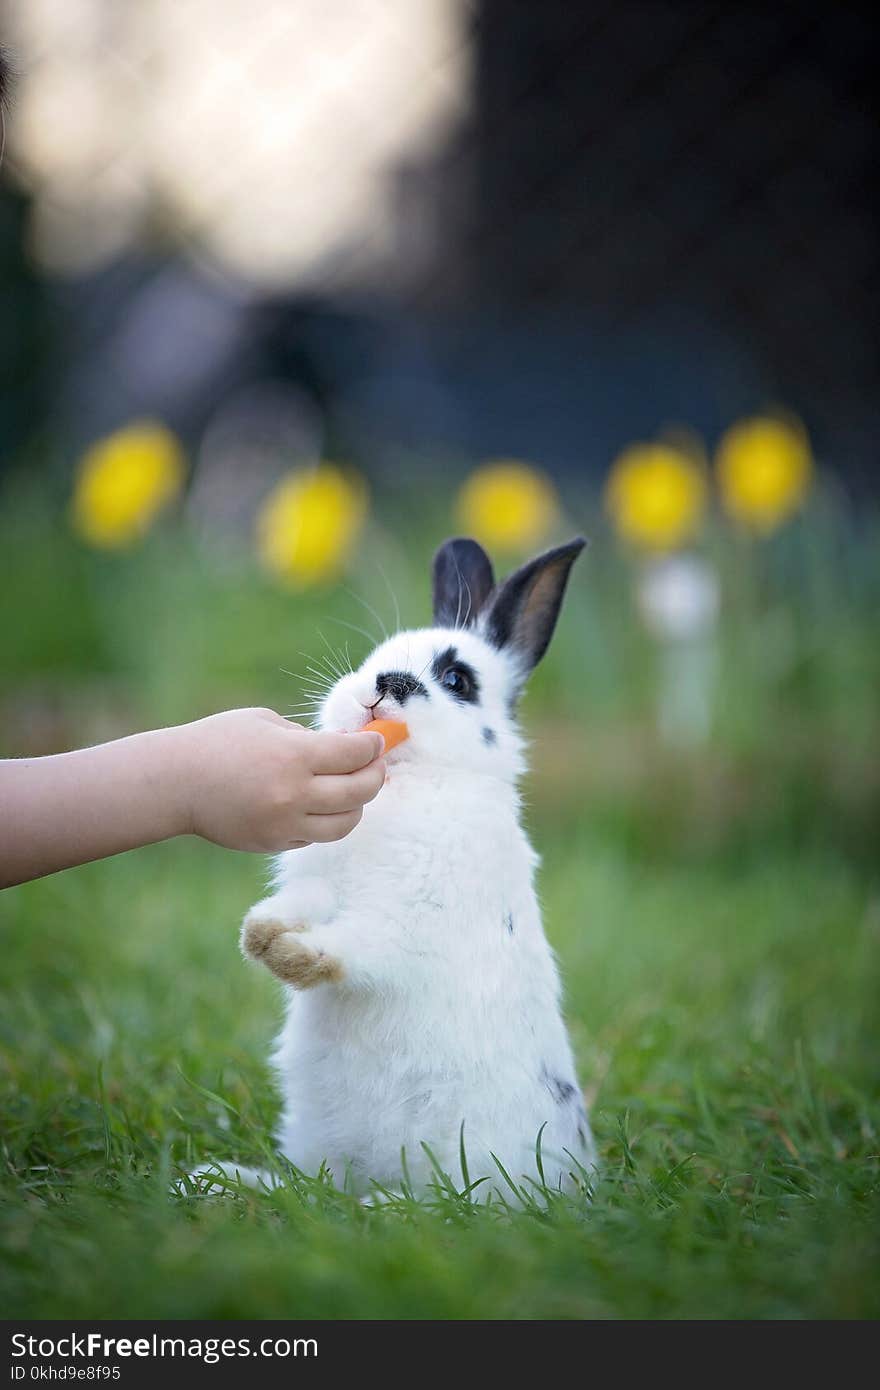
{"type": "Point", "coordinates": [74, 808]}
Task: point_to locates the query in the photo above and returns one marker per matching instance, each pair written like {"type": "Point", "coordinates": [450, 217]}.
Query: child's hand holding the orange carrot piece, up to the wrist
{"type": "Point", "coordinates": [252, 780]}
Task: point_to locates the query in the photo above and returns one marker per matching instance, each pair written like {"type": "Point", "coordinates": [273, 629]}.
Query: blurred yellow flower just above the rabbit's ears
{"type": "Point", "coordinates": [508, 505]}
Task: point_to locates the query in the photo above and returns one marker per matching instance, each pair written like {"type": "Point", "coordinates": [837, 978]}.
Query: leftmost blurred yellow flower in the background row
{"type": "Point", "coordinates": [124, 482]}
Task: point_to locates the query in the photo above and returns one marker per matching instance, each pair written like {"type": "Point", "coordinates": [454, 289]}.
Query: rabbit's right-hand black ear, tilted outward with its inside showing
{"type": "Point", "coordinates": [526, 607]}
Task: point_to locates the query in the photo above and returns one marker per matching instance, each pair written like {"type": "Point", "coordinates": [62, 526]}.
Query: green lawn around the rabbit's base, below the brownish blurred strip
{"type": "Point", "coordinates": [721, 1018]}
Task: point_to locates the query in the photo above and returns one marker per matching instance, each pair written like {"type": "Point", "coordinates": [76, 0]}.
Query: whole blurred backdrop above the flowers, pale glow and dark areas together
{"type": "Point", "coordinates": [455, 229]}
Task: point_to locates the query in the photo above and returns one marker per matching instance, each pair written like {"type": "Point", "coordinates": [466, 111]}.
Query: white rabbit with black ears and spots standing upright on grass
{"type": "Point", "coordinates": [423, 992]}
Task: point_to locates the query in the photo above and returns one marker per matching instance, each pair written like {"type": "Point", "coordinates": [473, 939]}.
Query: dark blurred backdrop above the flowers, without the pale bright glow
{"type": "Point", "coordinates": [653, 213]}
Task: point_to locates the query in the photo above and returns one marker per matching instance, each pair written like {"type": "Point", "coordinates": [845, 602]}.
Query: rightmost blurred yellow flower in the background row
{"type": "Point", "coordinates": [765, 469]}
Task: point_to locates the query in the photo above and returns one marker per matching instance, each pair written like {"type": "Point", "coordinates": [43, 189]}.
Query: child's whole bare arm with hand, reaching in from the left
{"type": "Point", "coordinates": [245, 779]}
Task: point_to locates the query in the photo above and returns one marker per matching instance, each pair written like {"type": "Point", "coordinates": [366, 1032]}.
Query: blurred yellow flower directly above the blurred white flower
{"type": "Point", "coordinates": [657, 496]}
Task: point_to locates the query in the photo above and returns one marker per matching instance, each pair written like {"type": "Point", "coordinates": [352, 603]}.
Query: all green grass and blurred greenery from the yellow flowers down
{"type": "Point", "coordinates": [715, 910]}
